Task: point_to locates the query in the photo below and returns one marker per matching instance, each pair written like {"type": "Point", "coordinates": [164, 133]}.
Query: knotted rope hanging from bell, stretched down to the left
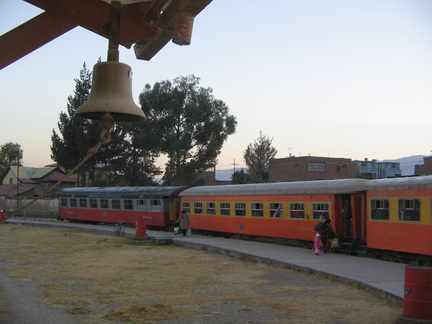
{"type": "Point", "coordinates": [105, 137]}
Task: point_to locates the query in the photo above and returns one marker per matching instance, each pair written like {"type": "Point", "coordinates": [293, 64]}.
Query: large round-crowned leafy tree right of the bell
{"type": "Point", "coordinates": [187, 124]}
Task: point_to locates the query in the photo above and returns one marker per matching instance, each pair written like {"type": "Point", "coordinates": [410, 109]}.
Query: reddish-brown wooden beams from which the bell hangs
{"type": "Point", "coordinates": [146, 24]}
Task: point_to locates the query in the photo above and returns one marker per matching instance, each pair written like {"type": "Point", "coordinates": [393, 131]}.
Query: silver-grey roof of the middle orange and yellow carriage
{"type": "Point", "coordinates": [282, 188]}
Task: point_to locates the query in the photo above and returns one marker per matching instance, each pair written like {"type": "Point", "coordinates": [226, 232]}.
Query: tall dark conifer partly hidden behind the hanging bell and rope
{"type": "Point", "coordinates": [122, 163]}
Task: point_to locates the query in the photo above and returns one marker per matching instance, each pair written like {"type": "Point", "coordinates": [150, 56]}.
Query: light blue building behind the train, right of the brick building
{"type": "Point", "coordinates": [378, 170]}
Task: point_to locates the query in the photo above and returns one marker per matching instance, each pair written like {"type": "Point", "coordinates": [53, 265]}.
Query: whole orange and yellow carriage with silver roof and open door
{"type": "Point", "coordinates": [287, 210]}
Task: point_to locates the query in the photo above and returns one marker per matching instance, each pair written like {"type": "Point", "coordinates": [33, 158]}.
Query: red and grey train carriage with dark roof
{"type": "Point", "coordinates": [157, 206]}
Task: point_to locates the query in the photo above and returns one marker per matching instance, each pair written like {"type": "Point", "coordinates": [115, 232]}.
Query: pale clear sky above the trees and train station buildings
{"type": "Point", "coordinates": [333, 78]}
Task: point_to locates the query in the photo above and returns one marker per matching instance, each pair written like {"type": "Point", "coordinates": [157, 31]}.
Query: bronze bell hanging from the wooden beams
{"type": "Point", "coordinates": [111, 92]}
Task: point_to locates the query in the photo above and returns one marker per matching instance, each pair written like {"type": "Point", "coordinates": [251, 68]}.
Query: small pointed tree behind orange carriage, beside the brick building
{"type": "Point", "coordinates": [257, 157]}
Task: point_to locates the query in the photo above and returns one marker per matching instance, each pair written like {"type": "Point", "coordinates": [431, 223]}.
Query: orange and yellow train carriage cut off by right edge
{"type": "Point", "coordinates": [399, 215]}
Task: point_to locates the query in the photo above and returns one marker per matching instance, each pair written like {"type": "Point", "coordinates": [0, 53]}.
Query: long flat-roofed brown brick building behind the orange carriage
{"type": "Point", "coordinates": [305, 168]}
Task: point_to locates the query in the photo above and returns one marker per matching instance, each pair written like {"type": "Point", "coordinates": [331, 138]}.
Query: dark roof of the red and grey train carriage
{"type": "Point", "coordinates": [127, 192]}
